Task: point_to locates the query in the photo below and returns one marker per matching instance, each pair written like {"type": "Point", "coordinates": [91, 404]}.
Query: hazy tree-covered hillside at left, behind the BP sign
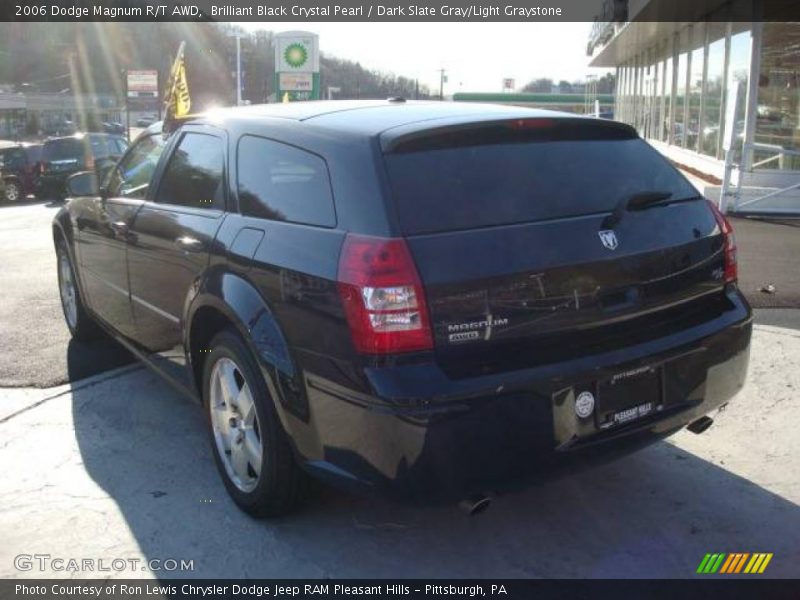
{"type": "Point", "coordinates": [92, 58]}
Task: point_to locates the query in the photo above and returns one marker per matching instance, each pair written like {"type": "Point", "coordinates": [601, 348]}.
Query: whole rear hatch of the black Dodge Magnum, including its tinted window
{"type": "Point", "coordinates": [509, 225]}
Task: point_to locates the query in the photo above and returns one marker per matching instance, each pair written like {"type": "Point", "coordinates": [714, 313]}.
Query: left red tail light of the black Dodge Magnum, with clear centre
{"type": "Point", "coordinates": [383, 298]}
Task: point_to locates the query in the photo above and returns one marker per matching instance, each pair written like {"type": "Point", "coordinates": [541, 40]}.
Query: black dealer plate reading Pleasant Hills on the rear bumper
{"type": "Point", "coordinates": [628, 396]}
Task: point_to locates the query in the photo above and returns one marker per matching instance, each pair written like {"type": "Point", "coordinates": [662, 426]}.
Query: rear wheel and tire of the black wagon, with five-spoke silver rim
{"type": "Point", "coordinates": [251, 450]}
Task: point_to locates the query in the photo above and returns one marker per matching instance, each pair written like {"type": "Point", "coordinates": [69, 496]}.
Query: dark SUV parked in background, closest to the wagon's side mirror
{"type": "Point", "coordinates": [61, 157]}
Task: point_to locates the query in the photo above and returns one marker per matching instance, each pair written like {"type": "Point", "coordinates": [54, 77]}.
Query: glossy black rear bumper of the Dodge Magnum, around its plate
{"type": "Point", "coordinates": [423, 435]}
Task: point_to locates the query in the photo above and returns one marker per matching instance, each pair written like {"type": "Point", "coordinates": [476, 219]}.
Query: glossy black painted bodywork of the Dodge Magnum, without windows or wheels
{"type": "Point", "coordinates": [450, 419]}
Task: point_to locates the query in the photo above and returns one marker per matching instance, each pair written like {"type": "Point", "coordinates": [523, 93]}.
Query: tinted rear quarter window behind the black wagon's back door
{"type": "Point", "coordinates": [283, 183]}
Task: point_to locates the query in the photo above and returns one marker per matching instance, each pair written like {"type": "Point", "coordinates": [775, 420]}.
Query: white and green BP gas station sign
{"type": "Point", "coordinates": [297, 65]}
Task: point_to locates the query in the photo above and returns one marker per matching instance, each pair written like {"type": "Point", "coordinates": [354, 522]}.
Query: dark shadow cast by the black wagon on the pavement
{"type": "Point", "coordinates": [653, 514]}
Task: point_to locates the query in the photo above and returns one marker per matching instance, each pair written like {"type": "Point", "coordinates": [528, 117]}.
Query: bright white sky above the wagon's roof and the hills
{"type": "Point", "coordinates": [477, 56]}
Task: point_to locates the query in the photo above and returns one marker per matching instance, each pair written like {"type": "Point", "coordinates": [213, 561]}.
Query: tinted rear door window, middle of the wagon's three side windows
{"type": "Point", "coordinates": [193, 176]}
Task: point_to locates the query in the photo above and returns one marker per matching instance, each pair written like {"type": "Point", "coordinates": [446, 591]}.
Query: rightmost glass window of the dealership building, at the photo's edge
{"type": "Point", "coordinates": [777, 129]}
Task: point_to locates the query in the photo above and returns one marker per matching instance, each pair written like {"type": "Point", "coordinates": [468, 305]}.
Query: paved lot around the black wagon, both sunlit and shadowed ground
{"type": "Point", "coordinates": [110, 463]}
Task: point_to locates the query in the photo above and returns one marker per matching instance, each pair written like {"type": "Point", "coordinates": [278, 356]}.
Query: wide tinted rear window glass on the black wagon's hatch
{"type": "Point", "coordinates": [520, 172]}
